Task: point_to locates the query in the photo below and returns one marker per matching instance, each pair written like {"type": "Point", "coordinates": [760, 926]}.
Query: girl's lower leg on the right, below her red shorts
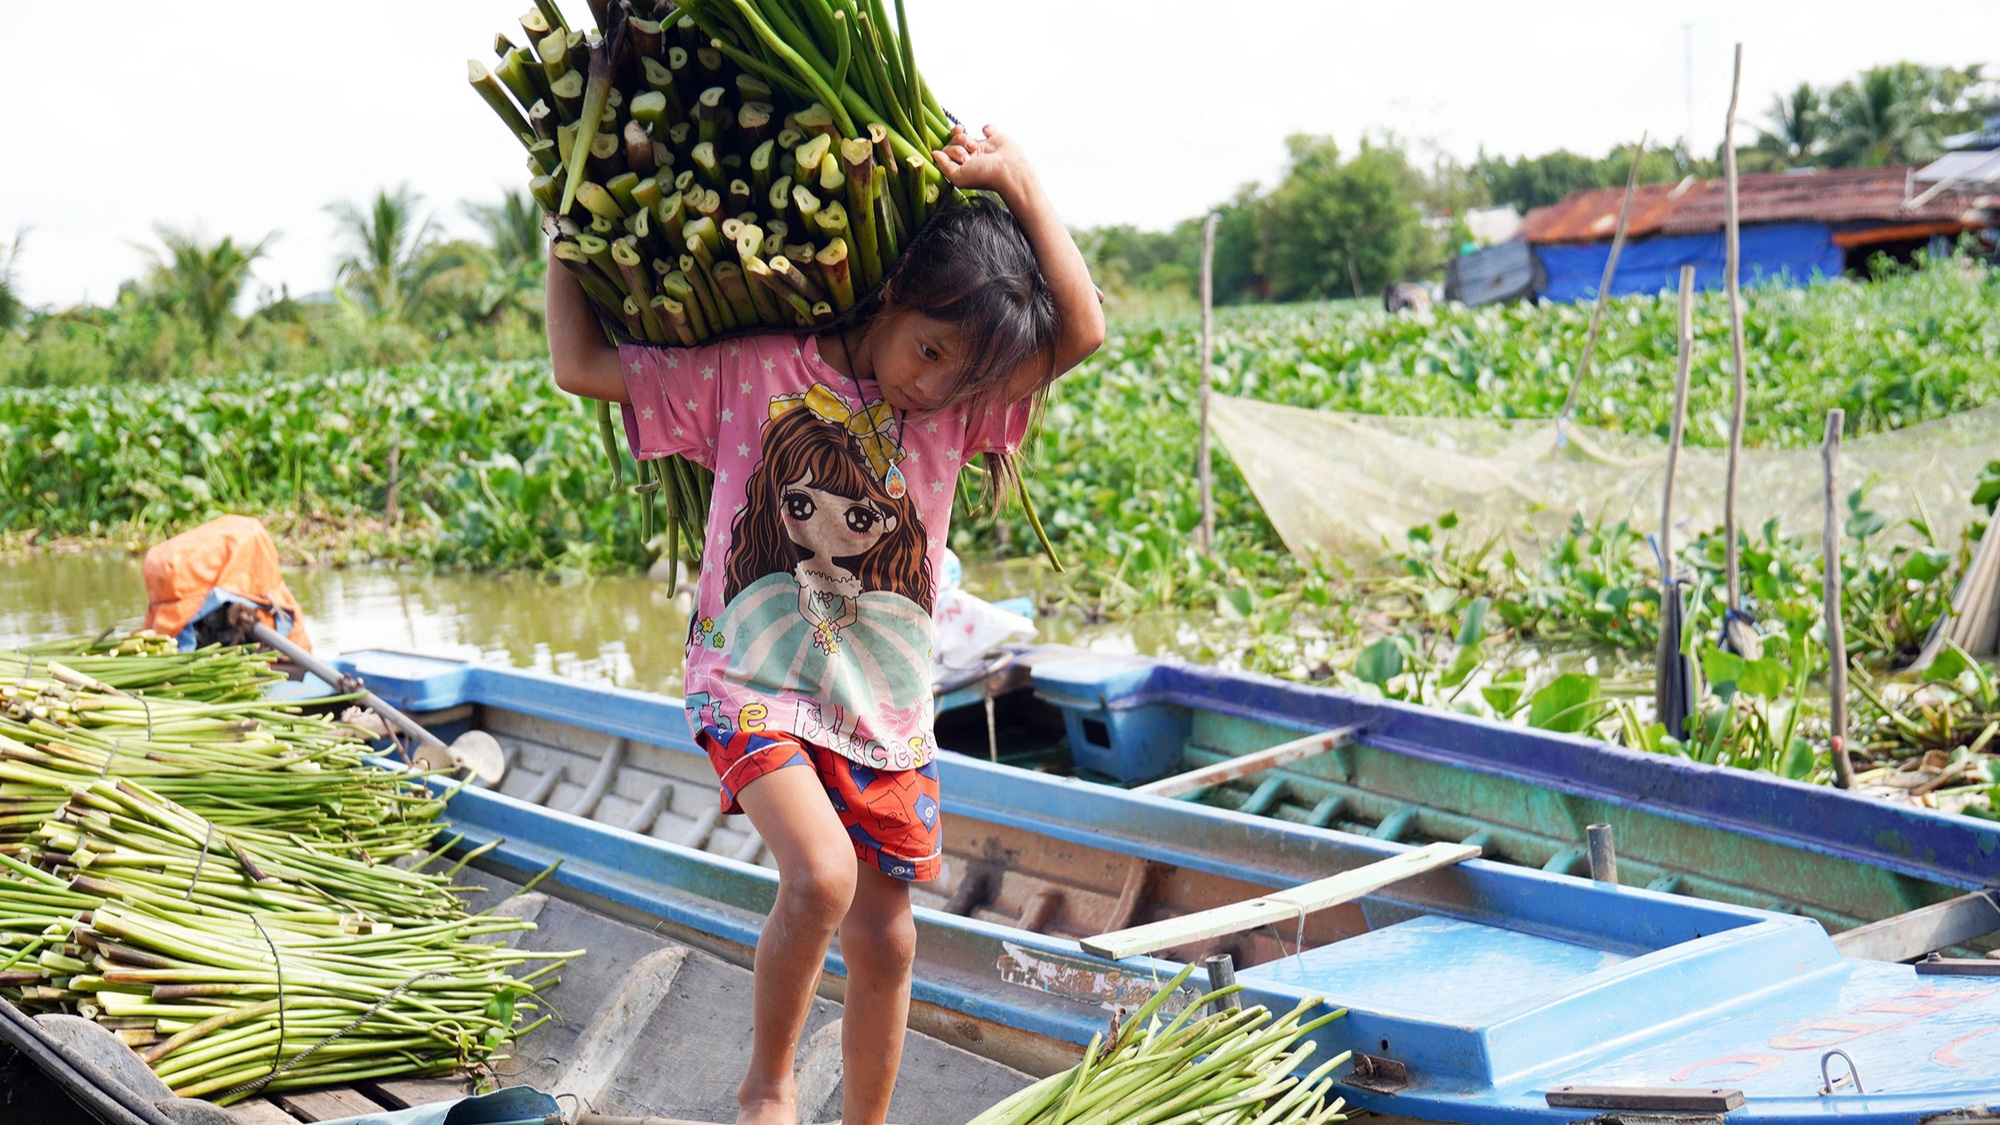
{"type": "Point", "coordinates": [879, 944]}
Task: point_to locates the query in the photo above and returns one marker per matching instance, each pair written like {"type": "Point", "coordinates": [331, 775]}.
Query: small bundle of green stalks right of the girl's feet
{"type": "Point", "coordinates": [1229, 1068]}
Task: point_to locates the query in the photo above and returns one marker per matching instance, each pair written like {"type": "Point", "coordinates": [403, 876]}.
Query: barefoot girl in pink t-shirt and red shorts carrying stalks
{"type": "Point", "coordinates": [835, 463]}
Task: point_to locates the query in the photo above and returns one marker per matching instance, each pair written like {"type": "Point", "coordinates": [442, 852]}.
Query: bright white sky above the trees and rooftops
{"type": "Point", "coordinates": [251, 117]}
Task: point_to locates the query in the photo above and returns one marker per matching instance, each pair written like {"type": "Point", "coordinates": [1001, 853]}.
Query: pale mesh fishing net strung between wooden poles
{"type": "Point", "coordinates": [1345, 483]}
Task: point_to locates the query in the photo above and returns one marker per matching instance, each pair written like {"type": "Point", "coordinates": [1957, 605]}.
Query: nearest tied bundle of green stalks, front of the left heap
{"type": "Point", "coordinates": [243, 968]}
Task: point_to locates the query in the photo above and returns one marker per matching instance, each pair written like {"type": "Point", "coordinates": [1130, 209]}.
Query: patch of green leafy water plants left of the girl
{"type": "Point", "coordinates": [495, 465]}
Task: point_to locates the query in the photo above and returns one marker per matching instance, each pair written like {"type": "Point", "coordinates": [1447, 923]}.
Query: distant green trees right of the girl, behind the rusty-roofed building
{"type": "Point", "coordinates": [1349, 223]}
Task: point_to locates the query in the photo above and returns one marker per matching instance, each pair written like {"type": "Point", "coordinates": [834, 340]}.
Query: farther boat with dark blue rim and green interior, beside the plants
{"type": "Point", "coordinates": [1417, 776]}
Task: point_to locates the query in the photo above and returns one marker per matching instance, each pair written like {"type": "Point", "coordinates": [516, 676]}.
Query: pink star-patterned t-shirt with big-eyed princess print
{"type": "Point", "coordinates": [825, 539]}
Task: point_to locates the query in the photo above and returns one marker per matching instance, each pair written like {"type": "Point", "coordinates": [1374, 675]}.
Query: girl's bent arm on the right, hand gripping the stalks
{"type": "Point", "coordinates": [995, 163]}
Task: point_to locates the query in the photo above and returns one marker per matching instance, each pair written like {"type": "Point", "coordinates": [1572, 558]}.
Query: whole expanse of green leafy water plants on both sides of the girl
{"type": "Point", "coordinates": [501, 471]}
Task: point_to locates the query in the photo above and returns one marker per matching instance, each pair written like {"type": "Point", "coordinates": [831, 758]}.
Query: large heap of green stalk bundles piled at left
{"type": "Point", "coordinates": [265, 942]}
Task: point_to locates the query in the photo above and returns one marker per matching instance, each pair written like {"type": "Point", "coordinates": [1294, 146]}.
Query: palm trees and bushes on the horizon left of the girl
{"type": "Point", "coordinates": [405, 291]}
